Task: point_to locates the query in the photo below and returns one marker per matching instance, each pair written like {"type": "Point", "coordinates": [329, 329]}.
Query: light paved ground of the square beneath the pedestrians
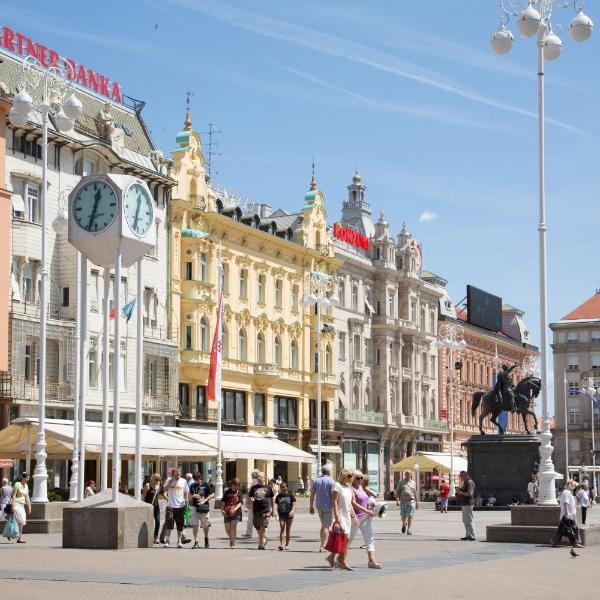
{"type": "Point", "coordinates": [430, 563]}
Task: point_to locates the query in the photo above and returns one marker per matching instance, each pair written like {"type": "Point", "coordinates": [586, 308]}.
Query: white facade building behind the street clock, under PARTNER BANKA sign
{"type": "Point", "coordinates": [107, 138]}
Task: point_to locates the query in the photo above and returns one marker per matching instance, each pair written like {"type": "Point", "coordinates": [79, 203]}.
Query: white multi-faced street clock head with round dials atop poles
{"type": "Point", "coordinates": [108, 212]}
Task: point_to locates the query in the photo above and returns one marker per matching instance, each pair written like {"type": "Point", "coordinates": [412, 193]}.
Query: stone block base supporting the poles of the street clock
{"type": "Point", "coordinates": [98, 522]}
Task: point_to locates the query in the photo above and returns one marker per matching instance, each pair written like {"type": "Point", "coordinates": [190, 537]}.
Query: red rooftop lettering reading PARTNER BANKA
{"type": "Point", "coordinates": [20, 44]}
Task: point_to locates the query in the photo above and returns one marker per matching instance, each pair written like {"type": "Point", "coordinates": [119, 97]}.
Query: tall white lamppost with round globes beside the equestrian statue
{"type": "Point", "coordinates": [534, 18]}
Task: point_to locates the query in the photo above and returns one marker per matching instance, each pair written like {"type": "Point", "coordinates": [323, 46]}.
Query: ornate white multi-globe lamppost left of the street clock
{"type": "Point", "coordinates": [53, 98]}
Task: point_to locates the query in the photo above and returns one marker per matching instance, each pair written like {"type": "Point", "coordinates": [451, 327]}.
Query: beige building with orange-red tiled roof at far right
{"type": "Point", "coordinates": [576, 353]}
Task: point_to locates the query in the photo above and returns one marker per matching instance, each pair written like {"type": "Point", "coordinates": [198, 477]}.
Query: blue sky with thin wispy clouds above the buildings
{"type": "Point", "coordinates": [409, 91]}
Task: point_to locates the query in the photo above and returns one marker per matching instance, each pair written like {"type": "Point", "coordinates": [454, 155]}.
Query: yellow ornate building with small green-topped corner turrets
{"type": "Point", "coordinates": [269, 376]}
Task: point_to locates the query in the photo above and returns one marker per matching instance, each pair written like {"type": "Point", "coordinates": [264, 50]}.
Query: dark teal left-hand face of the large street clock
{"type": "Point", "coordinates": [95, 206]}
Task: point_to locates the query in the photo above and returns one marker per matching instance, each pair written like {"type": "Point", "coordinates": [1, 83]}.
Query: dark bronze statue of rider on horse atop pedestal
{"type": "Point", "coordinates": [507, 397]}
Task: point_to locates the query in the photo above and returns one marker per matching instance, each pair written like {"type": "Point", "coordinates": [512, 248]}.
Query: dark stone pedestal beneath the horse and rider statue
{"type": "Point", "coordinates": [502, 465]}
